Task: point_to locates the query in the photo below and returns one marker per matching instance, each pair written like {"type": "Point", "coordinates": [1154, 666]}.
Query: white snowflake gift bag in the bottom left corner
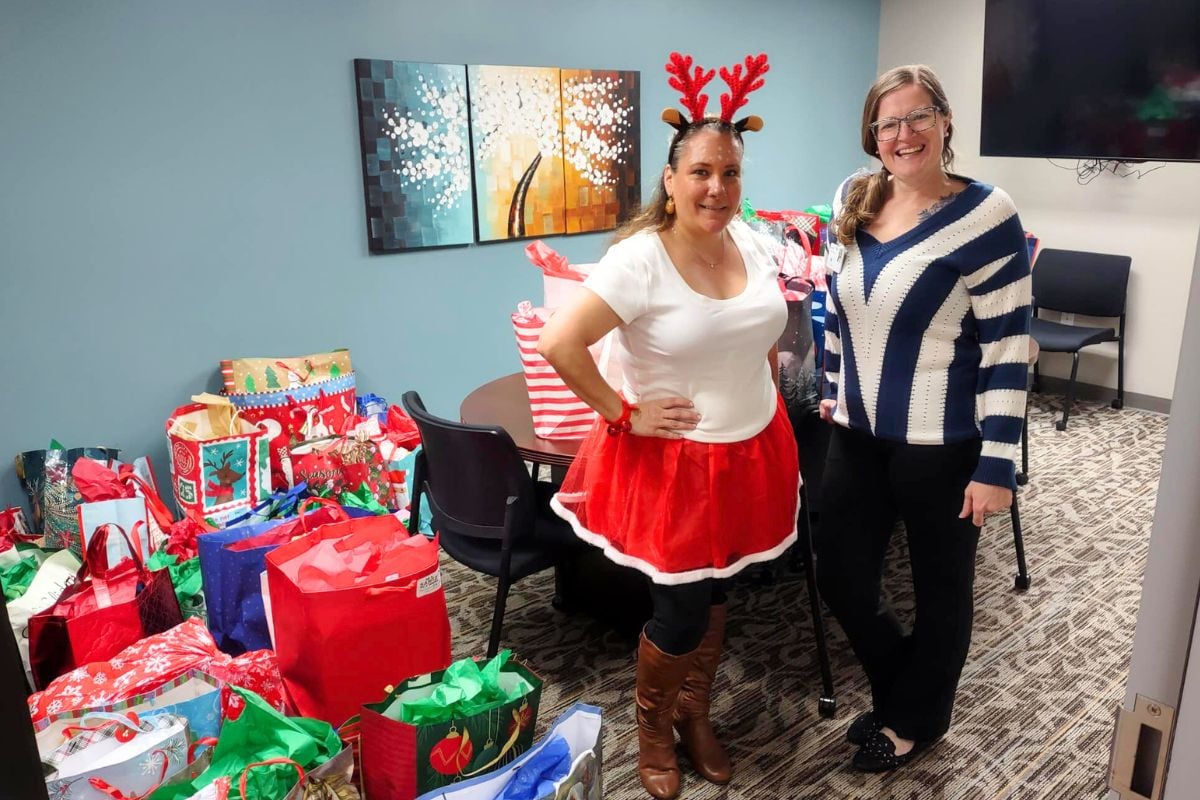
{"type": "Point", "coordinates": [117, 756]}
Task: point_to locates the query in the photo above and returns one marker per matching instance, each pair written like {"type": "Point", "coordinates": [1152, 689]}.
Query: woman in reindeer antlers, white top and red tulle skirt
{"type": "Point", "coordinates": [692, 474]}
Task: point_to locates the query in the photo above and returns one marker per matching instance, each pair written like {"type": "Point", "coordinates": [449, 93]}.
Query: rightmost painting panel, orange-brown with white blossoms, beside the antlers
{"type": "Point", "coordinates": [601, 148]}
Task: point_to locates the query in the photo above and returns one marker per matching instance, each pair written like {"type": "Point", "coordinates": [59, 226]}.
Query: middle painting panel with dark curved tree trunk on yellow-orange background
{"type": "Point", "coordinates": [517, 122]}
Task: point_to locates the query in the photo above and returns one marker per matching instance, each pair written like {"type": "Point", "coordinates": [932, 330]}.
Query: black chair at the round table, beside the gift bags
{"type": "Point", "coordinates": [490, 514]}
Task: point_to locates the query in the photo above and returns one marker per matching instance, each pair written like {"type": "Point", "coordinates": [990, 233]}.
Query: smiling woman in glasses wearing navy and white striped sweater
{"type": "Point", "coordinates": [927, 340]}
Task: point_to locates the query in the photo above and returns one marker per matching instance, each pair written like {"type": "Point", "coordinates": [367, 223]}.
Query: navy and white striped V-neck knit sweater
{"type": "Point", "coordinates": [927, 335]}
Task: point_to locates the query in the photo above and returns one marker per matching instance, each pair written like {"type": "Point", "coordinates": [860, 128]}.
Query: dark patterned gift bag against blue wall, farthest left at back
{"type": "Point", "coordinates": [53, 497]}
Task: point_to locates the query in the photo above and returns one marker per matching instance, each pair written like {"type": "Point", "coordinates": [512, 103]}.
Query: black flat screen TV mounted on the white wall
{"type": "Point", "coordinates": [1112, 80]}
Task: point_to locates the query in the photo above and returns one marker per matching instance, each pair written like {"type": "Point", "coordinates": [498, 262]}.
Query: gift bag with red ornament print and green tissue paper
{"type": "Point", "coordinates": [457, 724]}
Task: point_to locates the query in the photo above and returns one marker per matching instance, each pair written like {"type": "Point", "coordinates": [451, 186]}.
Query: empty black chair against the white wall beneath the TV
{"type": "Point", "coordinates": [1077, 282]}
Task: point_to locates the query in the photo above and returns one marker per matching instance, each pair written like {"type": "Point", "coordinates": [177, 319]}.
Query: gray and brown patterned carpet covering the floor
{"type": "Point", "coordinates": [1042, 684]}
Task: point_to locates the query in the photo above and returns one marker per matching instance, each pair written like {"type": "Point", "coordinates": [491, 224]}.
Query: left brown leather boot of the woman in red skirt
{"type": "Point", "coordinates": [659, 679]}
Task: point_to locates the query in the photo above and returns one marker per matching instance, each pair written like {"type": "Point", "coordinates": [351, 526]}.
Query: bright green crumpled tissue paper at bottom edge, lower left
{"type": "Point", "coordinates": [254, 732]}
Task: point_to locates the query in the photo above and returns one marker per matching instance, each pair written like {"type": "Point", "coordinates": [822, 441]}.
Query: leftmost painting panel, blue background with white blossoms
{"type": "Point", "coordinates": [416, 154]}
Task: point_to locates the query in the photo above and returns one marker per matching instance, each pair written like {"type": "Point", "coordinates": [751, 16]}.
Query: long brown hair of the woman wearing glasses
{"type": "Point", "coordinates": [867, 194]}
